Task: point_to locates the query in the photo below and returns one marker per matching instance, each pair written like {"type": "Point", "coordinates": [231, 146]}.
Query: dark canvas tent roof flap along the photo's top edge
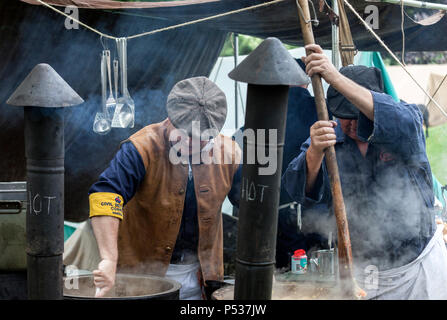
{"type": "Point", "coordinates": [280, 20]}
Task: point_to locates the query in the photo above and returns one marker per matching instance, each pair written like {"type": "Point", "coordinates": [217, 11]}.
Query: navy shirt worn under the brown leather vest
{"type": "Point", "coordinates": [125, 173]}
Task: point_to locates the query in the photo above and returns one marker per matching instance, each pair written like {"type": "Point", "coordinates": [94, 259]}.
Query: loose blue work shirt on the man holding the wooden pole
{"type": "Point", "coordinates": [388, 193]}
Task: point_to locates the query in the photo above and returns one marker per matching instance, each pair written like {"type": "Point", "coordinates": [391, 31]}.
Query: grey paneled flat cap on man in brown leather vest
{"type": "Point", "coordinates": [200, 100]}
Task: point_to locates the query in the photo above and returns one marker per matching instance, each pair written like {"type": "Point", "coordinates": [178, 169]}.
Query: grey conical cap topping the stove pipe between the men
{"type": "Point", "coordinates": [270, 64]}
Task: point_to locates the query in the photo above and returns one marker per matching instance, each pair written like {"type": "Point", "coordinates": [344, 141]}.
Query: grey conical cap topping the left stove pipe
{"type": "Point", "coordinates": [45, 88]}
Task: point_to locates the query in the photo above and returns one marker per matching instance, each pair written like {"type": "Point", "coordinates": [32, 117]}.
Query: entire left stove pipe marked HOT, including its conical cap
{"type": "Point", "coordinates": [44, 94]}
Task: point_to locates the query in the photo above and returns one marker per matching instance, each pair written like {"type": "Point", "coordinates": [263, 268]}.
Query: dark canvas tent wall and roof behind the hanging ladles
{"type": "Point", "coordinates": [32, 34]}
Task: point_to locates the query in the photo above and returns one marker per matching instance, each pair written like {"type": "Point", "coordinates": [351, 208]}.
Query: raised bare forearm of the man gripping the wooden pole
{"type": "Point", "coordinates": [356, 94]}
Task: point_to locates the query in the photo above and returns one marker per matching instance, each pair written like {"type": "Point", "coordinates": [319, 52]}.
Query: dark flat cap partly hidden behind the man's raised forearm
{"type": "Point", "coordinates": [368, 77]}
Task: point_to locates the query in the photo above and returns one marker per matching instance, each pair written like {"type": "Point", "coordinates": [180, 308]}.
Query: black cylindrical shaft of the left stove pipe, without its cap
{"type": "Point", "coordinates": [44, 150]}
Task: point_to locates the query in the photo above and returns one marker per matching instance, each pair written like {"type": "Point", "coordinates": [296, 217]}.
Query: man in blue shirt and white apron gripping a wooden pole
{"type": "Point", "coordinates": [386, 180]}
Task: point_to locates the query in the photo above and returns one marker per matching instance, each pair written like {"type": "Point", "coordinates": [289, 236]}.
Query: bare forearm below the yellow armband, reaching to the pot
{"type": "Point", "coordinates": [105, 229]}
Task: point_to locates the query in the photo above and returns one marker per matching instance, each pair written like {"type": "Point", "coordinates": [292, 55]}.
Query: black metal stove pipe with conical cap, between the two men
{"type": "Point", "coordinates": [269, 71]}
